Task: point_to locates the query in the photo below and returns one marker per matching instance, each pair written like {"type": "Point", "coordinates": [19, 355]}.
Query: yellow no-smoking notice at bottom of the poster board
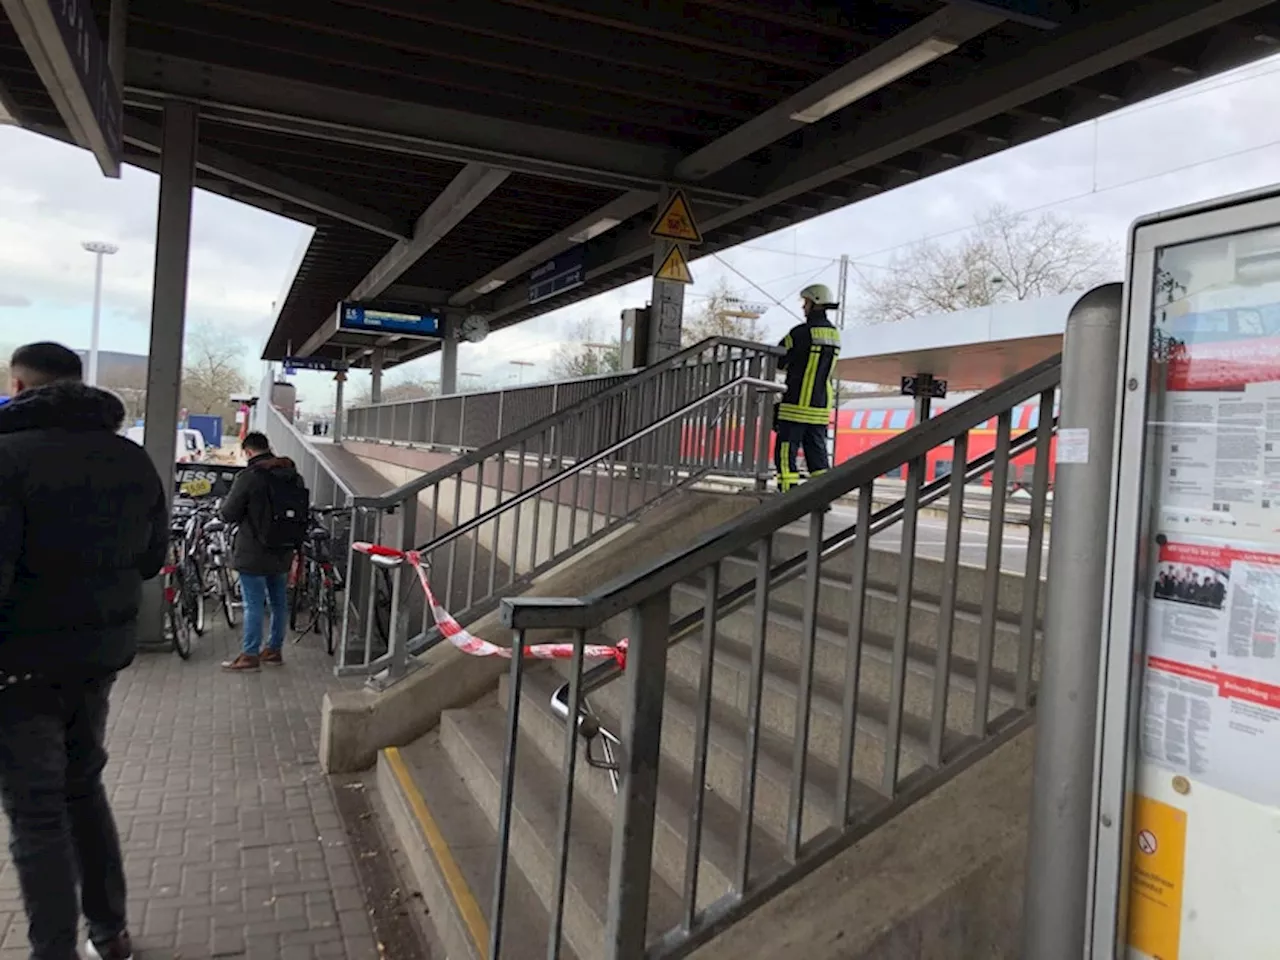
{"type": "Point", "coordinates": [1159, 861]}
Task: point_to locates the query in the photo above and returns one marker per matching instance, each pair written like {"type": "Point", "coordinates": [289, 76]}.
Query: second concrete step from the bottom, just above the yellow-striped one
{"type": "Point", "coordinates": [476, 742]}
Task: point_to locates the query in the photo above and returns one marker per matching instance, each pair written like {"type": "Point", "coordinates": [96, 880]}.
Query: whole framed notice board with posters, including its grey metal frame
{"type": "Point", "coordinates": [1188, 792]}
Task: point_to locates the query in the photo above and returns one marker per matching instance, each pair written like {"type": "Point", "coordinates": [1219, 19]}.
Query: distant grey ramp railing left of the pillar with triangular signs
{"type": "Point", "coordinates": [472, 420]}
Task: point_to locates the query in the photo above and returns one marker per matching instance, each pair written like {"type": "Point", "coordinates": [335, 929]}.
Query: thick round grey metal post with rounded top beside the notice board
{"type": "Point", "coordinates": [1058, 858]}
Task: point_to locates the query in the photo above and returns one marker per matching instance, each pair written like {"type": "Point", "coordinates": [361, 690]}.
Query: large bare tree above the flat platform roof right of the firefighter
{"type": "Point", "coordinates": [1007, 257]}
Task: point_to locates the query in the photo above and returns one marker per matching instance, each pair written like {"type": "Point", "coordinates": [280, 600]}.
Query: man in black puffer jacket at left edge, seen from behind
{"type": "Point", "coordinates": [84, 522]}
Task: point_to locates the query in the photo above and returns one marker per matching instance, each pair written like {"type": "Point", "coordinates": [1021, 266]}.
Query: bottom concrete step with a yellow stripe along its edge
{"type": "Point", "coordinates": [452, 849]}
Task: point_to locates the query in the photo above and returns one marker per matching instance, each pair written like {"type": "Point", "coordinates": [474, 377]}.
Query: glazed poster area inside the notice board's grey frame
{"type": "Point", "coordinates": [1208, 746]}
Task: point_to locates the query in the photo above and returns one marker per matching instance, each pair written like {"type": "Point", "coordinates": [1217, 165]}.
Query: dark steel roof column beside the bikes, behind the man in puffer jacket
{"type": "Point", "coordinates": [170, 312]}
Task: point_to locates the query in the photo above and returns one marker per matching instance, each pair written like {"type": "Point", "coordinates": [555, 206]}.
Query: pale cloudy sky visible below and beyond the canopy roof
{"type": "Point", "coordinates": [1220, 136]}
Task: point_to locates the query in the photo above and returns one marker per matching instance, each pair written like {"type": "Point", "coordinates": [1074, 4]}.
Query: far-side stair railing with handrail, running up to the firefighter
{"type": "Point", "coordinates": [499, 516]}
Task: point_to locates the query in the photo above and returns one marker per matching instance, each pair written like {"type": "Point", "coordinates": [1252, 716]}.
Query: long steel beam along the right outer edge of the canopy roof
{"type": "Point", "coordinates": [830, 156]}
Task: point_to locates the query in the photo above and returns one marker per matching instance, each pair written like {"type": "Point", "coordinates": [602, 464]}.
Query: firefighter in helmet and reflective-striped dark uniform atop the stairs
{"type": "Point", "coordinates": [804, 414]}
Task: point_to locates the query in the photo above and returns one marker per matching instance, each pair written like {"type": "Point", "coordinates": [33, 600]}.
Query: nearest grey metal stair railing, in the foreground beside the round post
{"type": "Point", "coordinates": [810, 835]}
